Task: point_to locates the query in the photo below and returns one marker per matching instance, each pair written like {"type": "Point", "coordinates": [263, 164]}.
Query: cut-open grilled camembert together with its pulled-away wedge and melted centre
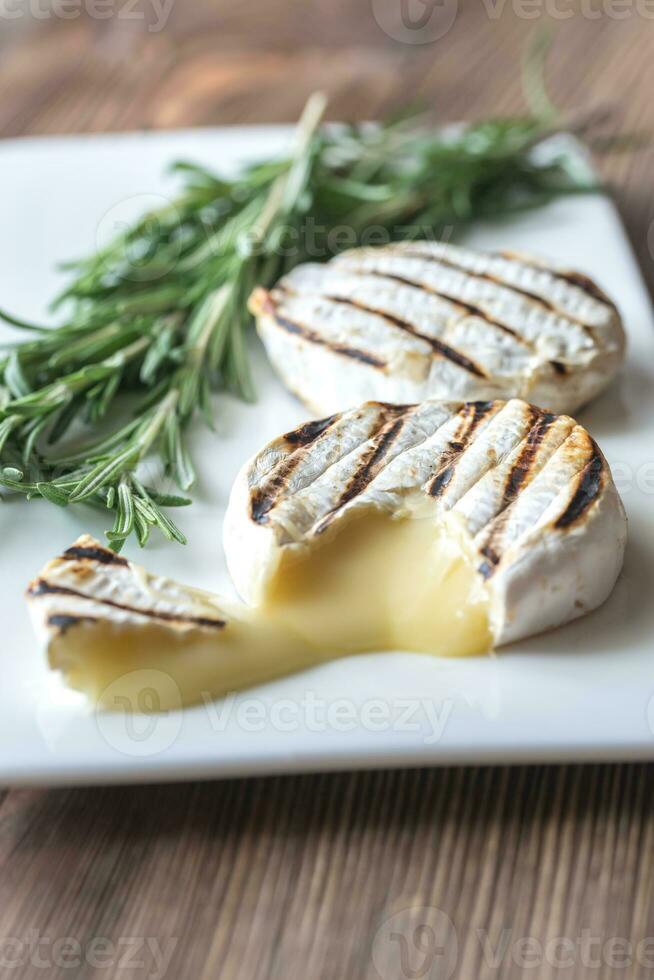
{"type": "Point", "coordinates": [442, 528]}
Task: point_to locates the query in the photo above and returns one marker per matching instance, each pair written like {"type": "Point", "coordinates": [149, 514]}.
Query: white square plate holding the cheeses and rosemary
{"type": "Point", "coordinates": [581, 692]}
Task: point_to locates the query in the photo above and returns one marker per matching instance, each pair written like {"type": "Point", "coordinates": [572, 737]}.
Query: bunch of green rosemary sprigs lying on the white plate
{"type": "Point", "coordinates": [161, 311]}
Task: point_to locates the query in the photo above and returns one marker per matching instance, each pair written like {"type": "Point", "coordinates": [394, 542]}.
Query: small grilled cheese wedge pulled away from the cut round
{"type": "Point", "coordinates": [128, 639]}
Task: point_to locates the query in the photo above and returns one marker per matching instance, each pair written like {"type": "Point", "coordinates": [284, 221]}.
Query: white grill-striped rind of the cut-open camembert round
{"type": "Point", "coordinates": [530, 488]}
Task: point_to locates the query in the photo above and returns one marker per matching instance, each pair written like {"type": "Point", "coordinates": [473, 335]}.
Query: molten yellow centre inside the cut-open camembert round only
{"type": "Point", "coordinates": [381, 583]}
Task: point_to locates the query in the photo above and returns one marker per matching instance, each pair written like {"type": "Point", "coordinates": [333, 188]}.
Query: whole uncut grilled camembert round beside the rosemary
{"type": "Point", "coordinates": [418, 320]}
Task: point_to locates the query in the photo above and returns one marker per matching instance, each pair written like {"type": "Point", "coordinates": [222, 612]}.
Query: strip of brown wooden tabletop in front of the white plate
{"type": "Point", "coordinates": [268, 877]}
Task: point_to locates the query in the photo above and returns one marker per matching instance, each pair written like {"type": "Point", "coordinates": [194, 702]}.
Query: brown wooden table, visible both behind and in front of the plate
{"type": "Point", "coordinates": [308, 877]}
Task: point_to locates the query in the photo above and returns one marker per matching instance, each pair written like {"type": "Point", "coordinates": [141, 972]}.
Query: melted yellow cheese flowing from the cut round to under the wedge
{"type": "Point", "coordinates": [373, 582]}
